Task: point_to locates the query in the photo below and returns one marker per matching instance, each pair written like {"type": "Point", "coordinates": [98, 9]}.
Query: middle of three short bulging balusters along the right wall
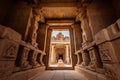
{"type": "Point", "coordinates": [86, 58]}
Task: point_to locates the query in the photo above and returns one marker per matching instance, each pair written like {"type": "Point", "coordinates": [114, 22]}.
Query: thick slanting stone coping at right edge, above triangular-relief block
{"type": "Point", "coordinates": [109, 33]}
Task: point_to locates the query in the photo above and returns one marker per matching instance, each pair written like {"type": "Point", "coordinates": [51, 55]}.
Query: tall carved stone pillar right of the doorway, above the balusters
{"type": "Point", "coordinates": [86, 32]}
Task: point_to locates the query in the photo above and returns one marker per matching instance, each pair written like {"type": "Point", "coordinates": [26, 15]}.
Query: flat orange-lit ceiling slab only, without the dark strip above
{"type": "Point", "coordinates": [60, 12]}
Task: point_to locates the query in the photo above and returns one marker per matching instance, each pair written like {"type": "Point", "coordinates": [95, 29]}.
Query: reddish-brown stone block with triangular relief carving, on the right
{"type": "Point", "coordinates": [107, 53]}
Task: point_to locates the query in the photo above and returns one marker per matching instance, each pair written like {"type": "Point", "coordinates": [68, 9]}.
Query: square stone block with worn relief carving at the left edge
{"type": "Point", "coordinates": [8, 49]}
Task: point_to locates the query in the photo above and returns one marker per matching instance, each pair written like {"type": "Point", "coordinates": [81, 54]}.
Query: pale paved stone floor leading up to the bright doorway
{"type": "Point", "coordinates": [59, 75]}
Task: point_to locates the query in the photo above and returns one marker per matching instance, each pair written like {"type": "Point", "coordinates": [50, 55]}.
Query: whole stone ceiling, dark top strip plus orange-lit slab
{"type": "Point", "coordinates": [59, 9]}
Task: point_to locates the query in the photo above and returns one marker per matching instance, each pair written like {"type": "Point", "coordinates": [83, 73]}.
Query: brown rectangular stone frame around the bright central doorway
{"type": "Point", "coordinates": [72, 45]}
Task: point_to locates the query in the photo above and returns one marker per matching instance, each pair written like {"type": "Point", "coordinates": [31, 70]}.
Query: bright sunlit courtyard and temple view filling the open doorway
{"type": "Point", "coordinates": [60, 49]}
